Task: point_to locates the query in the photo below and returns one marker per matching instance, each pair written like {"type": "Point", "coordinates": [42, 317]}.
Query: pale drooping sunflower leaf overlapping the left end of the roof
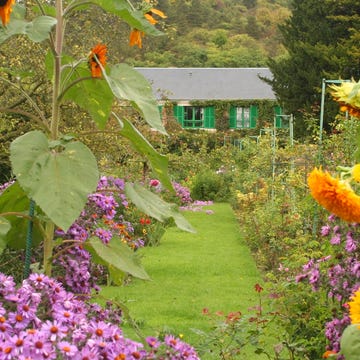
{"type": "Point", "coordinates": [127, 83]}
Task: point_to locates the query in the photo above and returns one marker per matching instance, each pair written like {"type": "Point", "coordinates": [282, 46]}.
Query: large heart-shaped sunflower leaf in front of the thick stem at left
{"type": "Point", "coordinates": [58, 181]}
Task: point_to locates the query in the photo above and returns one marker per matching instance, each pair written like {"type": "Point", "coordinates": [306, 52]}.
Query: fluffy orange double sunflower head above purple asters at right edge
{"type": "Point", "coordinates": [334, 195]}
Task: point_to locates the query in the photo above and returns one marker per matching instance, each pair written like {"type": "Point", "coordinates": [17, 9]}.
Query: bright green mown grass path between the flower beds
{"type": "Point", "coordinates": [211, 269]}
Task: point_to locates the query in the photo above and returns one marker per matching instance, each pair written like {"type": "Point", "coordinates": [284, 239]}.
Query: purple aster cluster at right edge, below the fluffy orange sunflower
{"type": "Point", "coordinates": [338, 274]}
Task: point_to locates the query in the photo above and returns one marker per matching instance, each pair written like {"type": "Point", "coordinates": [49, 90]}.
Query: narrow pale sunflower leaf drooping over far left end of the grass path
{"type": "Point", "coordinates": [155, 207]}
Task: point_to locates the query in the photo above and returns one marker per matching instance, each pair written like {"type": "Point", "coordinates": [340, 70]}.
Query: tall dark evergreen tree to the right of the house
{"type": "Point", "coordinates": [316, 37]}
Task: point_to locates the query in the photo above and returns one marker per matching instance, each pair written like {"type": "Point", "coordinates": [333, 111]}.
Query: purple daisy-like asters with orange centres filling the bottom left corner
{"type": "Point", "coordinates": [40, 320]}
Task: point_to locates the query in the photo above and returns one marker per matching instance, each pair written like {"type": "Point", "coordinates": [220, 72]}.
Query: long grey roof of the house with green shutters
{"type": "Point", "coordinates": [209, 83]}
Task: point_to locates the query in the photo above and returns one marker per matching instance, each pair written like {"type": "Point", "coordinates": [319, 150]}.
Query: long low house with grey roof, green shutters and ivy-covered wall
{"type": "Point", "coordinates": [204, 97]}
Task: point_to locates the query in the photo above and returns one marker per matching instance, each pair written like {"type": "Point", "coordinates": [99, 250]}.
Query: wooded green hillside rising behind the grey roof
{"type": "Point", "coordinates": [214, 33]}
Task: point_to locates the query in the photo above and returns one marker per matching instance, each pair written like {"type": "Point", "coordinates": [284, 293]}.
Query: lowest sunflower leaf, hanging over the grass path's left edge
{"type": "Point", "coordinates": [117, 257]}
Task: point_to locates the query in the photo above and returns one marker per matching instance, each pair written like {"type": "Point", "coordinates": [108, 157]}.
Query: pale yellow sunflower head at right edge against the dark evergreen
{"type": "Point", "coordinates": [347, 94]}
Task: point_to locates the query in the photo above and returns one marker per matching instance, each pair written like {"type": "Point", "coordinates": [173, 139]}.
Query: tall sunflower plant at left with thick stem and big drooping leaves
{"type": "Point", "coordinates": [56, 170]}
